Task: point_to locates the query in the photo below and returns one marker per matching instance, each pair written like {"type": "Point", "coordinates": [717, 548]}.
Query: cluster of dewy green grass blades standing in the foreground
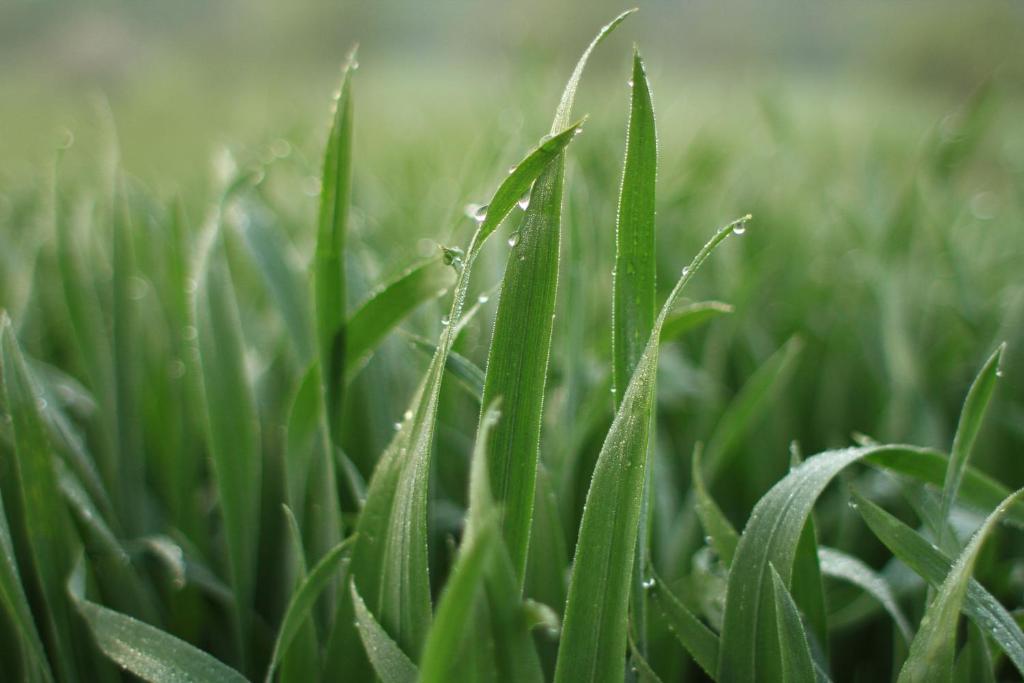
{"type": "Point", "coordinates": [262, 543]}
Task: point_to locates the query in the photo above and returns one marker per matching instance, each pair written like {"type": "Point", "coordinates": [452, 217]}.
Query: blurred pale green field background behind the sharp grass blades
{"type": "Point", "coordinates": [879, 146]}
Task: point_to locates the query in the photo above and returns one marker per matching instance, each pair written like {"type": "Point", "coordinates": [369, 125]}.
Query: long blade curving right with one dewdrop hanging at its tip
{"type": "Point", "coordinates": [593, 645]}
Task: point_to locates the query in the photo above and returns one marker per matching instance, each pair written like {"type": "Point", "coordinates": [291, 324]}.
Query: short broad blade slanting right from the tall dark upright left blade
{"type": "Point", "coordinates": [390, 305]}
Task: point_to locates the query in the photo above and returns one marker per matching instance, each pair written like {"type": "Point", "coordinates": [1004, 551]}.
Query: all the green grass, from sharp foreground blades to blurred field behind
{"type": "Point", "coordinates": [233, 449]}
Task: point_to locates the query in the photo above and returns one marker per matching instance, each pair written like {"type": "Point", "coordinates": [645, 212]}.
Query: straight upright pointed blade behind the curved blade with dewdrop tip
{"type": "Point", "coordinates": [634, 285]}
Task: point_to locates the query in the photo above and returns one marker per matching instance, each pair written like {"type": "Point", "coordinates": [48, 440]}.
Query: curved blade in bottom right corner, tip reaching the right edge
{"type": "Point", "coordinates": [932, 651]}
